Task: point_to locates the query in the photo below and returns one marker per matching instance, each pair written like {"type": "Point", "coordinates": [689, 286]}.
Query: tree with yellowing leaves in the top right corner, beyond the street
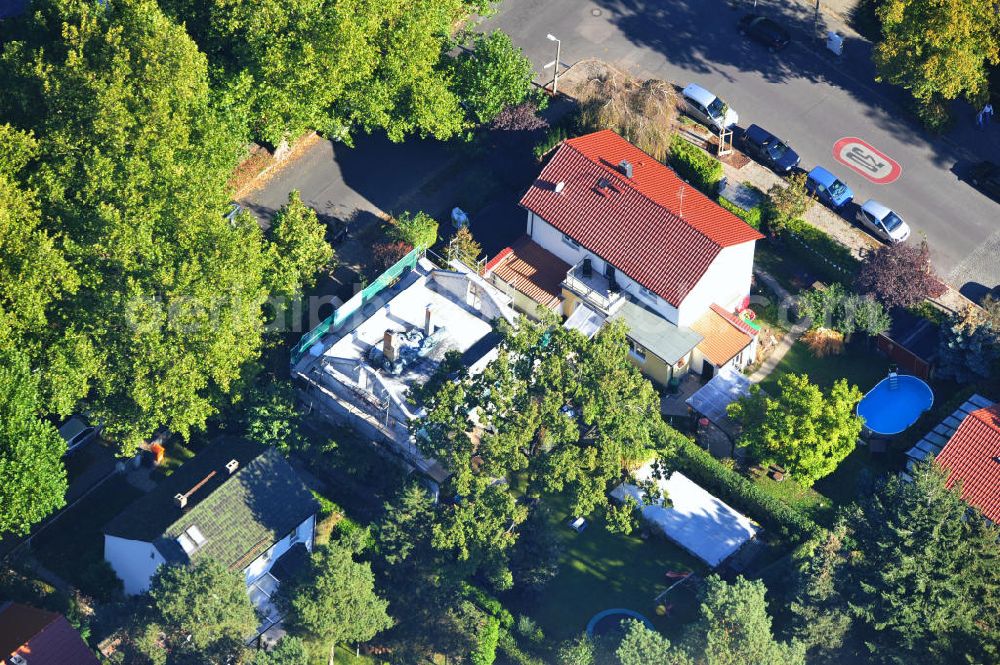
{"type": "Point", "coordinates": [938, 50]}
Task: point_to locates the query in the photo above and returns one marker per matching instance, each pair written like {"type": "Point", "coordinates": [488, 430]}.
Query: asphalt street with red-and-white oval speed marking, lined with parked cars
{"type": "Point", "coordinates": [803, 94]}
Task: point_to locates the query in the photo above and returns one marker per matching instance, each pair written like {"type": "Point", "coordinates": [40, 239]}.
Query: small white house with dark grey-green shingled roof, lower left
{"type": "Point", "coordinates": [237, 502]}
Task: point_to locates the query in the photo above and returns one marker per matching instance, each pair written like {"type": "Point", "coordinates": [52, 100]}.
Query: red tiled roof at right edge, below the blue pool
{"type": "Point", "coordinates": [972, 457]}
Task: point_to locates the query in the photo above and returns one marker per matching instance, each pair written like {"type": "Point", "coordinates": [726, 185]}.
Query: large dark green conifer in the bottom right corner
{"type": "Point", "coordinates": [922, 573]}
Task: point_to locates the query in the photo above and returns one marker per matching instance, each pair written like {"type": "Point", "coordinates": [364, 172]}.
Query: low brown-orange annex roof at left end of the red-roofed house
{"type": "Point", "coordinates": [532, 270]}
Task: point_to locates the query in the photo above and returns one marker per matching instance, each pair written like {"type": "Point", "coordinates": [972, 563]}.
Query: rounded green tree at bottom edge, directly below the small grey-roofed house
{"type": "Point", "coordinates": [200, 611]}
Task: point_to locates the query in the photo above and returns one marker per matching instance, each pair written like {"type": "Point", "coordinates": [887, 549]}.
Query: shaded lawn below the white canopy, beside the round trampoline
{"type": "Point", "coordinates": [601, 570]}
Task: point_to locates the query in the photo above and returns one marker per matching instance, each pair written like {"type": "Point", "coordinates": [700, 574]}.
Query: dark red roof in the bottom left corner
{"type": "Point", "coordinates": [43, 638]}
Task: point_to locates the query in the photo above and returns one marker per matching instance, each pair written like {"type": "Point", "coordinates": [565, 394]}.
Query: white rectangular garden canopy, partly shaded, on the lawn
{"type": "Point", "coordinates": [699, 522]}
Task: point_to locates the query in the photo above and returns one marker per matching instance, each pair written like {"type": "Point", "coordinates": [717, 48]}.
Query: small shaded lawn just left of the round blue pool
{"type": "Point", "coordinates": [861, 366]}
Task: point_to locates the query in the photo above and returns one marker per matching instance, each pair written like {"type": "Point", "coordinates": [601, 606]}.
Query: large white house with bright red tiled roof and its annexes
{"type": "Point", "coordinates": [638, 240]}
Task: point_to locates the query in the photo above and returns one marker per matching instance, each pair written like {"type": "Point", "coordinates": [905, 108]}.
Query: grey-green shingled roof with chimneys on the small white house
{"type": "Point", "coordinates": [240, 515]}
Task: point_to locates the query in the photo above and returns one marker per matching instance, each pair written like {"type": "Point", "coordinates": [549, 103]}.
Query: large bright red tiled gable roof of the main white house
{"type": "Point", "coordinates": [634, 223]}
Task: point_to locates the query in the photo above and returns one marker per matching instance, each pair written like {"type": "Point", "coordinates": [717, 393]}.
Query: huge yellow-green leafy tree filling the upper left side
{"type": "Point", "coordinates": [132, 164]}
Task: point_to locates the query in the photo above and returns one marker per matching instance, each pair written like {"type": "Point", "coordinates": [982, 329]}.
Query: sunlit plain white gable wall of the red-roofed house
{"type": "Point", "coordinates": [725, 283]}
